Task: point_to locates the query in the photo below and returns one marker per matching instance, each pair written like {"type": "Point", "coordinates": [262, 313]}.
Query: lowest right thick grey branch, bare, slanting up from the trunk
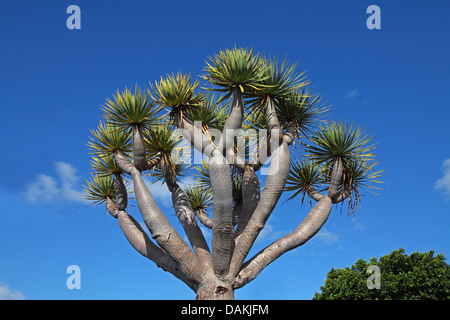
{"type": "Point", "coordinates": [305, 231]}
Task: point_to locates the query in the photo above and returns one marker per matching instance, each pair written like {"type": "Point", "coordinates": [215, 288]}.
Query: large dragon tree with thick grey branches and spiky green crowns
{"type": "Point", "coordinates": [248, 129]}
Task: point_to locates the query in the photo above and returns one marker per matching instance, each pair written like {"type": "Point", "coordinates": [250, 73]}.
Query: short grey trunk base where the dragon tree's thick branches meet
{"type": "Point", "coordinates": [212, 288]}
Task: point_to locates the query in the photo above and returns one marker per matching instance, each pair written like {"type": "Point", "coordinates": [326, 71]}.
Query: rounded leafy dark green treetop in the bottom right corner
{"type": "Point", "coordinates": [419, 276]}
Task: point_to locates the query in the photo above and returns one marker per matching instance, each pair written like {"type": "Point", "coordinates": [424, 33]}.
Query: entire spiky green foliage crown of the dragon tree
{"type": "Point", "coordinates": [269, 89]}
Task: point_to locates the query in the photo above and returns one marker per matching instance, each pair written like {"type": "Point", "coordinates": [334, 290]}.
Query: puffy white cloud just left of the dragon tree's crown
{"type": "Point", "coordinates": [46, 188]}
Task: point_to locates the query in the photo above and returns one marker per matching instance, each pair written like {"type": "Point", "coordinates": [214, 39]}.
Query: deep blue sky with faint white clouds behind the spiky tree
{"type": "Point", "coordinates": [394, 81]}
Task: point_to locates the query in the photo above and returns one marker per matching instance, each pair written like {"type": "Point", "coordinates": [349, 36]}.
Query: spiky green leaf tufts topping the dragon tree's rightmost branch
{"type": "Point", "coordinates": [330, 142]}
